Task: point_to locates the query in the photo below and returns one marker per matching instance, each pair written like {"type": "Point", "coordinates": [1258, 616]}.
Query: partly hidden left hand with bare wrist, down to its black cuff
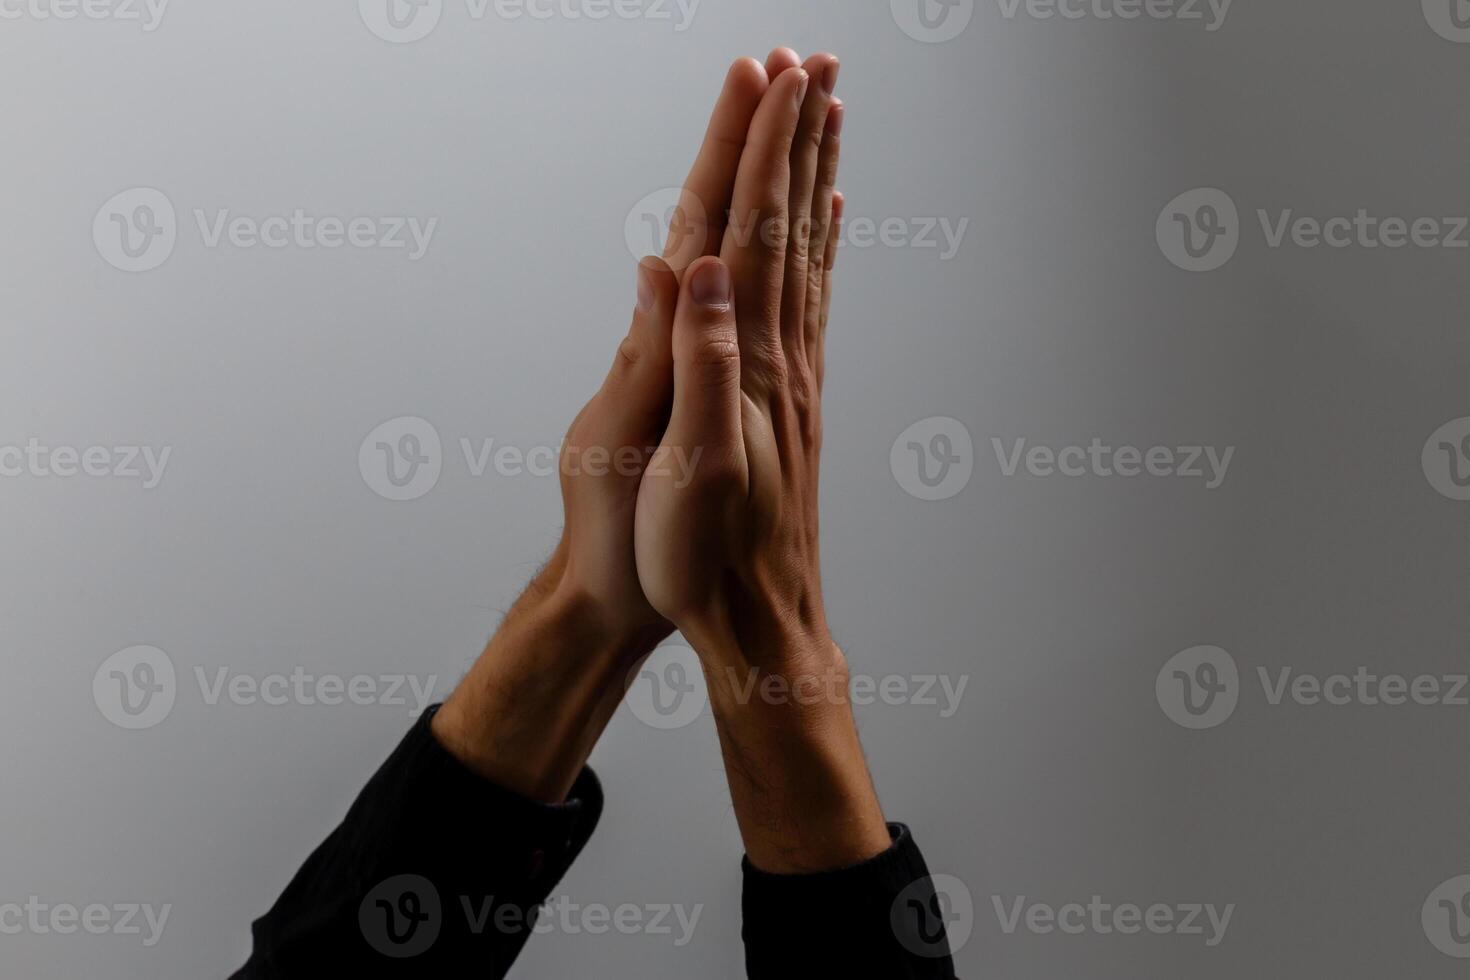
{"type": "Point", "coordinates": [534, 705]}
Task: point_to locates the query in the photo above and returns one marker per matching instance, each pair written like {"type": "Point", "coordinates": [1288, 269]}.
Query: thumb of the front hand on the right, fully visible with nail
{"type": "Point", "coordinates": [706, 361]}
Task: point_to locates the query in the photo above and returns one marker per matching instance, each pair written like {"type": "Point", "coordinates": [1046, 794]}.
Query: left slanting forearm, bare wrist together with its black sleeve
{"type": "Point", "coordinates": [481, 800]}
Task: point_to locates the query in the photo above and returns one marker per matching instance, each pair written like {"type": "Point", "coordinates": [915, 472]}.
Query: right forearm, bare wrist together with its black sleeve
{"type": "Point", "coordinates": [830, 888]}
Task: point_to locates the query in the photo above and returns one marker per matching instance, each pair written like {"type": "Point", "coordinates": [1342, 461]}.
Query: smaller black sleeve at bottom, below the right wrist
{"type": "Point", "coordinates": [880, 919]}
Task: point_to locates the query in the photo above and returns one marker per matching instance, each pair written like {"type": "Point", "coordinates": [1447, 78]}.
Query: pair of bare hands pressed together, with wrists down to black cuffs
{"type": "Point", "coordinates": [721, 370]}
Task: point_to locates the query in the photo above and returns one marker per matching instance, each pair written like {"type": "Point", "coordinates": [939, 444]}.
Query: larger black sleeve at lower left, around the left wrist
{"type": "Point", "coordinates": [434, 873]}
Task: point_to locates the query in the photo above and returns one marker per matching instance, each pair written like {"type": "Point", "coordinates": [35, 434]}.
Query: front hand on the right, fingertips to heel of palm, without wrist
{"type": "Point", "coordinates": [733, 558]}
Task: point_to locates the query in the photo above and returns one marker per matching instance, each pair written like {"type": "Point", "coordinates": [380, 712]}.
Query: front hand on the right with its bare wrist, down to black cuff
{"type": "Point", "coordinates": [733, 556]}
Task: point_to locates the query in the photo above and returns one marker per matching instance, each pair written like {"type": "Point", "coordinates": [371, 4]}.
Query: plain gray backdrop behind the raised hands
{"type": "Point", "coordinates": [1059, 321]}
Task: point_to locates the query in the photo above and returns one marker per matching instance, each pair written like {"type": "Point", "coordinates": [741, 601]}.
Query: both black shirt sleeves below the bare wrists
{"type": "Point", "coordinates": [437, 872]}
